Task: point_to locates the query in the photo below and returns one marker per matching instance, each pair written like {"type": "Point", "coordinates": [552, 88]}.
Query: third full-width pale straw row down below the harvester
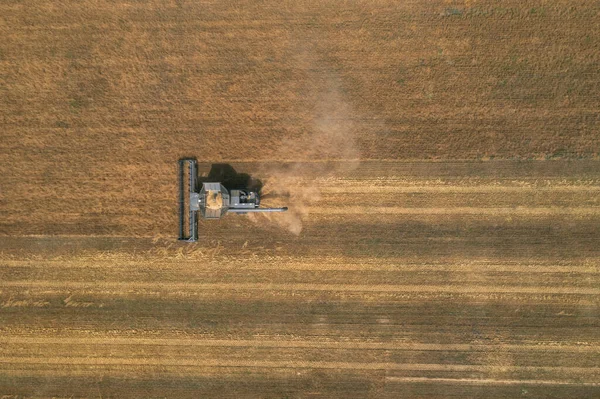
{"type": "Point", "coordinates": [19, 340]}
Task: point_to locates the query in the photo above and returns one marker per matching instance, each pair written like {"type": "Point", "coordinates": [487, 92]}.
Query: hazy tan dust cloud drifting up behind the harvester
{"type": "Point", "coordinates": [331, 137]}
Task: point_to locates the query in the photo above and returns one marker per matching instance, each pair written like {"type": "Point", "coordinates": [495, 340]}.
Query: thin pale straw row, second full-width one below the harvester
{"type": "Point", "coordinates": [129, 286]}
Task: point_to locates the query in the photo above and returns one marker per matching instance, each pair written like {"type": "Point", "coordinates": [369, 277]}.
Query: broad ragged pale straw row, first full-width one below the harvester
{"type": "Point", "coordinates": [226, 263]}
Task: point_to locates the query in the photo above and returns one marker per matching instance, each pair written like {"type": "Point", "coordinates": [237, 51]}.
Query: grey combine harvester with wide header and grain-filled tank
{"type": "Point", "coordinates": [212, 201]}
